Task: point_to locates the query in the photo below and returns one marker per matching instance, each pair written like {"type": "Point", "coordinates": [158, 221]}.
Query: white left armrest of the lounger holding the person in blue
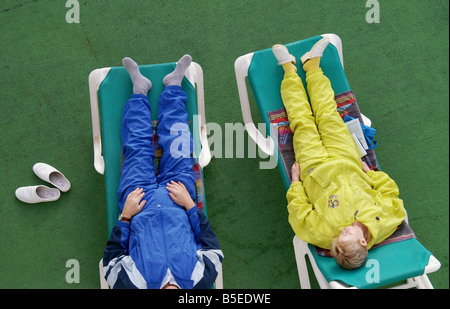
{"type": "Point", "coordinates": [95, 79]}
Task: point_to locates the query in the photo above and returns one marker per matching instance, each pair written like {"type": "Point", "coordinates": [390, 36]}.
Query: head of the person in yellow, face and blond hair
{"type": "Point", "coordinates": [349, 249]}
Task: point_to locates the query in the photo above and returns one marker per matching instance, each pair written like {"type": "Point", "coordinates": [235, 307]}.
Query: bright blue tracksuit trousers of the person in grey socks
{"type": "Point", "coordinates": [174, 139]}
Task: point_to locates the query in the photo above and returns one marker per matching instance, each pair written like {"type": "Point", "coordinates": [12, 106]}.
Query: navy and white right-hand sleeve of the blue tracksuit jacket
{"type": "Point", "coordinates": [209, 255]}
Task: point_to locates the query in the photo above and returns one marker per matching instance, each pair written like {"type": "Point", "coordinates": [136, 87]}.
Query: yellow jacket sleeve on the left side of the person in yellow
{"type": "Point", "coordinates": [305, 221]}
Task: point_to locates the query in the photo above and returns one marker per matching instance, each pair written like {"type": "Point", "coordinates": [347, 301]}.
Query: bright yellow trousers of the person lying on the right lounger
{"type": "Point", "coordinates": [320, 134]}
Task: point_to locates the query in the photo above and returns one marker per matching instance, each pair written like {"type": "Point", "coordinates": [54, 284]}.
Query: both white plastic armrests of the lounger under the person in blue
{"type": "Point", "coordinates": [195, 76]}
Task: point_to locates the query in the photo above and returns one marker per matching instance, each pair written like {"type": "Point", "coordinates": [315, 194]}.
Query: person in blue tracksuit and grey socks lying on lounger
{"type": "Point", "coordinates": [161, 240]}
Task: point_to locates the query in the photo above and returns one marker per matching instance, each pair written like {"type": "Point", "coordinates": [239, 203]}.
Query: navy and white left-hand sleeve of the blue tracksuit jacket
{"type": "Point", "coordinates": [119, 268]}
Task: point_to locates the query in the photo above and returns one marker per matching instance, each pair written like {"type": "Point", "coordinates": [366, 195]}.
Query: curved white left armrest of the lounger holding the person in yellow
{"type": "Point", "coordinates": [266, 144]}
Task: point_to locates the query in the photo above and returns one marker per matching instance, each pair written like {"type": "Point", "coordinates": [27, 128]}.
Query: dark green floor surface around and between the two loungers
{"type": "Point", "coordinates": [398, 69]}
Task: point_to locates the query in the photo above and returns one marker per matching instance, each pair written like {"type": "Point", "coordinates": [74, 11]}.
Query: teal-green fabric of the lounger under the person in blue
{"type": "Point", "coordinates": [114, 92]}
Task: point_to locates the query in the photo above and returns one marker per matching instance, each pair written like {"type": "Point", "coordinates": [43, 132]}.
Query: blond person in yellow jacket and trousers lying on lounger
{"type": "Point", "coordinates": [335, 201]}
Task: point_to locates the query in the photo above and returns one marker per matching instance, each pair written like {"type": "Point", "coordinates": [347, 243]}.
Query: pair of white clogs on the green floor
{"type": "Point", "coordinates": [41, 193]}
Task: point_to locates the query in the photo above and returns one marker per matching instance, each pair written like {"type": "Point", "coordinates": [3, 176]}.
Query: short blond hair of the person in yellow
{"type": "Point", "coordinates": [349, 254]}
